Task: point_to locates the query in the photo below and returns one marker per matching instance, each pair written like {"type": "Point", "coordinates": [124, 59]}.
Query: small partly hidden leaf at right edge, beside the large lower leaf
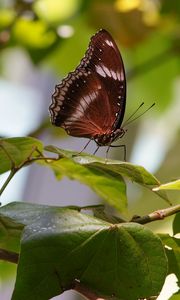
{"type": "Point", "coordinates": [173, 253]}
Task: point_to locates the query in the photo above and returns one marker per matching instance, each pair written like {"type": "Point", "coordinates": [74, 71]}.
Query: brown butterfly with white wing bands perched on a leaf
{"type": "Point", "coordinates": [90, 102]}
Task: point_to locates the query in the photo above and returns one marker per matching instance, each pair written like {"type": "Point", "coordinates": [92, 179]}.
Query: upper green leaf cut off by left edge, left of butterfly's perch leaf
{"type": "Point", "coordinates": [15, 151]}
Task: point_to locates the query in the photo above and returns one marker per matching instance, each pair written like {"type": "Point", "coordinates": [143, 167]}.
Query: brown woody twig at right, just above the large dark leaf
{"type": "Point", "coordinates": [156, 215]}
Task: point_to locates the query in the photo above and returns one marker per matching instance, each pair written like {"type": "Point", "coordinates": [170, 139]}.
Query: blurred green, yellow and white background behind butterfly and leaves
{"type": "Point", "coordinates": [40, 42]}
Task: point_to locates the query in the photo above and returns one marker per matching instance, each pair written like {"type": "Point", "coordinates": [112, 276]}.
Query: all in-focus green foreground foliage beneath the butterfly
{"type": "Point", "coordinates": [61, 247]}
